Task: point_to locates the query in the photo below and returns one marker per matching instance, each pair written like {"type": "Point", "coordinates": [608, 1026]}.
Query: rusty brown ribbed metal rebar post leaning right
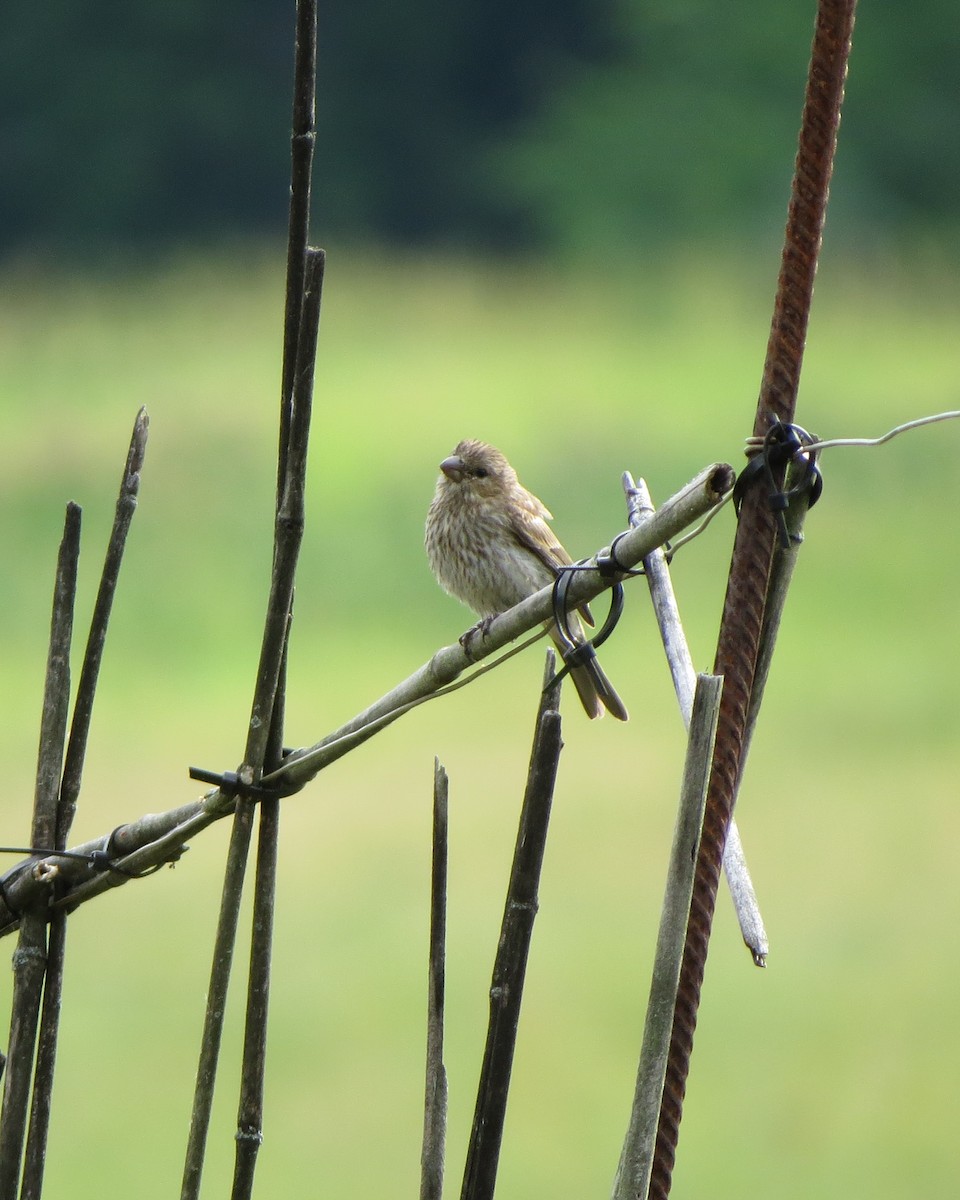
{"type": "Point", "coordinates": [743, 607]}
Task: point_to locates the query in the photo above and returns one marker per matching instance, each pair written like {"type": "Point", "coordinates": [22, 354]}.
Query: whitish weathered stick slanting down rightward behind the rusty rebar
{"type": "Point", "coordinates": [685, 681]}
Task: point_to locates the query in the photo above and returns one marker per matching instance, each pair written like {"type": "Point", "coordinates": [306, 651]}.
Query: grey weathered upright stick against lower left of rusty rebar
{"type": "Point", "coordinates": [634, 1171]}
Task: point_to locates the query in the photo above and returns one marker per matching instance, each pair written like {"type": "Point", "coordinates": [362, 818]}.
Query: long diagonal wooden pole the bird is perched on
{"type": "Point", "coordinates": [155, 839]}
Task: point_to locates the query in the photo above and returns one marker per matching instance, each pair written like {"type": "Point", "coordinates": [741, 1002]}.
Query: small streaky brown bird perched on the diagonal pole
{"type": "Point", "coordinates": [490, 545]}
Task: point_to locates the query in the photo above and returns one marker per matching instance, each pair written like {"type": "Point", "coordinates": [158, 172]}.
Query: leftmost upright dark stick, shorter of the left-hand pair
{"type": "Point", "coordinates": [31, 958]}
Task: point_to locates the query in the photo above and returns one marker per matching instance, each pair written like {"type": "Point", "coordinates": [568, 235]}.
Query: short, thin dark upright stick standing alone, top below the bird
{"type": "Point", "coordinates": [435, 1101]}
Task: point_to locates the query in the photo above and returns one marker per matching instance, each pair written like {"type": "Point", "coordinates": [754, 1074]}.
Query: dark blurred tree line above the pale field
{"type": "Point", "coordinates": [556, 124]}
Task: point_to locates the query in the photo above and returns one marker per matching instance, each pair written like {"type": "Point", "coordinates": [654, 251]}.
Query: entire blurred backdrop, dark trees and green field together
{"type": "Point", "coordinates": [626, 328]}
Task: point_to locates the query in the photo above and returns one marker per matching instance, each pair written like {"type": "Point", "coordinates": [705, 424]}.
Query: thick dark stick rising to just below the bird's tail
{"type": "Point", "coordinates": [511, 965]}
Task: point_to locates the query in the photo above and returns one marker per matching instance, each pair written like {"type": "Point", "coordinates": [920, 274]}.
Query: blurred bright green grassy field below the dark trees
{"type": "Point", "coordinates": [829, 1075]}
